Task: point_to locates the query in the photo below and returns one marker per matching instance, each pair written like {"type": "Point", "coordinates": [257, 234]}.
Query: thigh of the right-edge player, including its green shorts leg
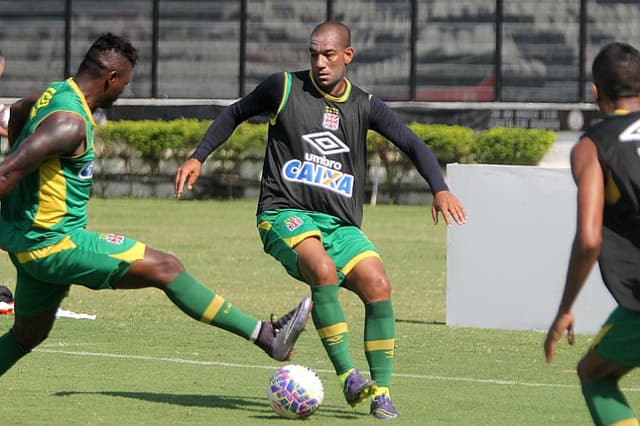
{"type": "Point", "coordinates": [616, 348]}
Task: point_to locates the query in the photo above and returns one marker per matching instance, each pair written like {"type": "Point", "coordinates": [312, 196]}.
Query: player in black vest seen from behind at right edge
{"type": "Point", "coordinates": [605, 164]}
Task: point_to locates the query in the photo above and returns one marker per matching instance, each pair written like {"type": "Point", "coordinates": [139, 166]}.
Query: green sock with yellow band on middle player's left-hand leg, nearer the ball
{"type": "Point", "coordinates": [330, 322]}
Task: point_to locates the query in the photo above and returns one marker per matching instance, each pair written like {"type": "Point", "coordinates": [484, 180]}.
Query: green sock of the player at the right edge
{"type": "Point", "coordinates": [606, 403]}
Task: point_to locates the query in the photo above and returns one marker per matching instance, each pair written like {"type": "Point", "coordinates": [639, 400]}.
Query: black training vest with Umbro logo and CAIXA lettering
{"type": "Point", "coordinates": [316, 153]}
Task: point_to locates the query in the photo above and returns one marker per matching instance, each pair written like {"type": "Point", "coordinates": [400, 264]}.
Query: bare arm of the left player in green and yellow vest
{"type": "Point", "coordinates": [59, 134]}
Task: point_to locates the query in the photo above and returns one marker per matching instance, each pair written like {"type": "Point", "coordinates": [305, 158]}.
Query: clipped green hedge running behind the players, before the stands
{"type": "Point", "coordinates": [176, 139]}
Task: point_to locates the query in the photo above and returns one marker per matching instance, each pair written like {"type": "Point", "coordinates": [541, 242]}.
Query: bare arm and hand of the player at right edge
{"type": "Point", "coordinates": [589, 178]}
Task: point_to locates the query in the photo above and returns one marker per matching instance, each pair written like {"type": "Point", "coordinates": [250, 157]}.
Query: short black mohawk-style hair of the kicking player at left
{"type": "Point", "coordinates": [106, 45]}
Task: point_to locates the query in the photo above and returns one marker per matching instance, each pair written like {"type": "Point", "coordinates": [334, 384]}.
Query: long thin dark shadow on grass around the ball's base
{"type": "Point", "coordinates": [259, 405]}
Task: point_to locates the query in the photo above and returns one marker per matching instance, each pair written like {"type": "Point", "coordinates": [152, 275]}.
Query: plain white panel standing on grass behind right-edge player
{"type": "Point", "coordinates": [506, 265]}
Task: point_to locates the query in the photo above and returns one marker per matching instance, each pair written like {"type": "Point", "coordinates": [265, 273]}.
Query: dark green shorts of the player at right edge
{"type": "Point", "coordinates": [619, 339]}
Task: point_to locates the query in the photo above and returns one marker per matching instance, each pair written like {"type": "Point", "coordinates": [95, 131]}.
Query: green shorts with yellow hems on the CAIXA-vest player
{"type": "Point", "coordinates": [281, 230]}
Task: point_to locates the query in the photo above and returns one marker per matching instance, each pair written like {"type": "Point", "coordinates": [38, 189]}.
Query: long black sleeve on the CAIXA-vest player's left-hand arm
{"type": "Point", "coordinates": [265, 98]}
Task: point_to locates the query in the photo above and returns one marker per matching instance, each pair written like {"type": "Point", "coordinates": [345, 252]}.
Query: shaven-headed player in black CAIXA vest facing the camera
{"type": "Point", "coordinates": [312, 194]}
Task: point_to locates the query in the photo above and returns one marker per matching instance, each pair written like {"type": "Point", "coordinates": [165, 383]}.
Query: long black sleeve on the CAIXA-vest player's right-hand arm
{"type": "Point", "coordinates": [385, 122]}
